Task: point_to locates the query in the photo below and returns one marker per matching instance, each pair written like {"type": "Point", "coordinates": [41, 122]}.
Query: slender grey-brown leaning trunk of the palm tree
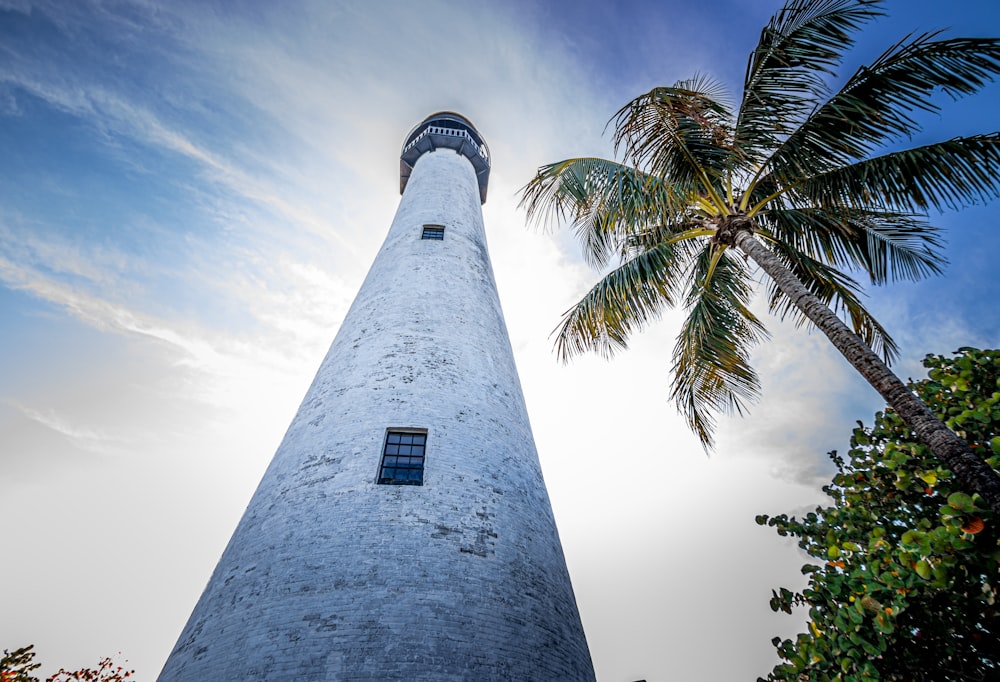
{"type": "Point", "coordinates": [972, 471]}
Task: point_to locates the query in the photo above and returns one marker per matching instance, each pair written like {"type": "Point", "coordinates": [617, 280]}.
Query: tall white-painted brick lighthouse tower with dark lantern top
{"type": "Point", "coordinates": [403, 530]}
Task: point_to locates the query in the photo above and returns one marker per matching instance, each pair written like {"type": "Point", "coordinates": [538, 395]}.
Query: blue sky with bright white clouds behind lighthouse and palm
{"type": "Point", "coordinates": [190, 196]}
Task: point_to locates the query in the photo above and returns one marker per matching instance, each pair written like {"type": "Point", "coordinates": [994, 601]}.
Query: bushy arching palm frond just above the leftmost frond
{"type": "Point", "coordinates": [682, 132]}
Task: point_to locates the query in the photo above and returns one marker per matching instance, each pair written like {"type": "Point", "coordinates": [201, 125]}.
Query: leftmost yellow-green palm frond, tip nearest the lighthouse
{"type": "Point", "coordinates": [604, 201]}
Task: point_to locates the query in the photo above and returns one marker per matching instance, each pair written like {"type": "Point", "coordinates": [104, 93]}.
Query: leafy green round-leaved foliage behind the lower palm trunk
{"type": "Point", "coordinates": [905, 569]}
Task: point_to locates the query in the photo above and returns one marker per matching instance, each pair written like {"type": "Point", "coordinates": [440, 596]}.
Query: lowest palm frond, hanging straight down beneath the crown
{"type": "Point", "coordinates": [712, 372]}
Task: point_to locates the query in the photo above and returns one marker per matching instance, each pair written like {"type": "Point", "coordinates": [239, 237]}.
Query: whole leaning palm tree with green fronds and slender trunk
{"type": "Point", "coordinates": [798, 180]}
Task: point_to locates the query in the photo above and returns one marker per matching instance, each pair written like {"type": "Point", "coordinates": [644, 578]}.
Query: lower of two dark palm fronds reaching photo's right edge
{"type": "Point", "coordinates": [950, 174]}
